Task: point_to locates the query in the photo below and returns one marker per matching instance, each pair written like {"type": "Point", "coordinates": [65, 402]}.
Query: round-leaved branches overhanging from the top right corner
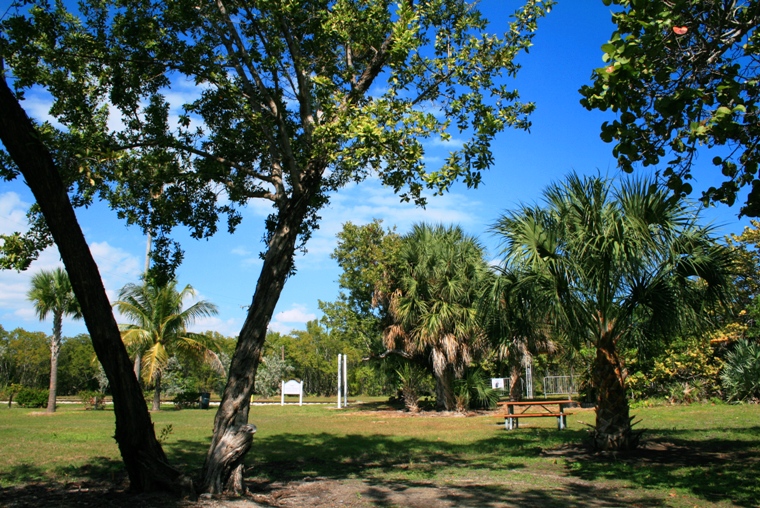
{"type": "Point", "coordinates": [683, 77]}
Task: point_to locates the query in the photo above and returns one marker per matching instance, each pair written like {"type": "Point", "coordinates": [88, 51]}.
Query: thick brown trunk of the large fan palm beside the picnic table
{"type": "Point", "coordinates": [613, 422]}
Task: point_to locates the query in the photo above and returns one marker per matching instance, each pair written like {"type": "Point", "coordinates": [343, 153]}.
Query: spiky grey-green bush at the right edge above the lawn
{"type": "Point", "coordinates": [741, 372]}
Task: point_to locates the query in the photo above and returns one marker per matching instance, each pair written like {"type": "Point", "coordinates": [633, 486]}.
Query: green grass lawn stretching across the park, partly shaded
{"type": "Point", "coordinates": [699, 455]}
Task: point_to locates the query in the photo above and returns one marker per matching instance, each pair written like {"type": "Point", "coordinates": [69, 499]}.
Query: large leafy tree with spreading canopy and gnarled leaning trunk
{"type": "Point", "coordinates": [295, 99]}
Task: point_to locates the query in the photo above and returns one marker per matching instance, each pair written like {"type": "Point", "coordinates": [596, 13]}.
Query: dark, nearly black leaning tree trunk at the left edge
{"type": "Point", "coordinates": [143, 456]}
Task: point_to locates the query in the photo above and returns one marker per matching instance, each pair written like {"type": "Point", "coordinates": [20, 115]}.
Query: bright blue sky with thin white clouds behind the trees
{"type": "Point", "coordinates": [564, 138]}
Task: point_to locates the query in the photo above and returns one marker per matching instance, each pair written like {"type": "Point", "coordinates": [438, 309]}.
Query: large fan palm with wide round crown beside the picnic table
{"type": "Point", "coordinates": [610, 266]}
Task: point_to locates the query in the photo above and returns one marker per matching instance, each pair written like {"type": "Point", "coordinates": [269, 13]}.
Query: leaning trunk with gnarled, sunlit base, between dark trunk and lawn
{"type": "Point", "coordinates": [233, 436]}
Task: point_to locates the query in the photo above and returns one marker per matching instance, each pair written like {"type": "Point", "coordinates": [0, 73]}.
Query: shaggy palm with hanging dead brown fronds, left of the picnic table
{"type": "Point", "coordinates": [433, 310]}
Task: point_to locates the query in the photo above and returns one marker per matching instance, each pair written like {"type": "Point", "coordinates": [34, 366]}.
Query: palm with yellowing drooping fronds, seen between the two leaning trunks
{"type": "Point", "coordinates": [159, 327]}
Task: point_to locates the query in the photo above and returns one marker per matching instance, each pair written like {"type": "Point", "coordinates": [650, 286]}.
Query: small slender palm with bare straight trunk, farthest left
{"type": "Point", "coordinates": [51, 293]}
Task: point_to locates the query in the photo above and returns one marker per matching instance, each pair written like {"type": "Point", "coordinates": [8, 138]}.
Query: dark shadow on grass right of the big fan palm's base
{"type": "Point", "coordinates": [712, 469]}
